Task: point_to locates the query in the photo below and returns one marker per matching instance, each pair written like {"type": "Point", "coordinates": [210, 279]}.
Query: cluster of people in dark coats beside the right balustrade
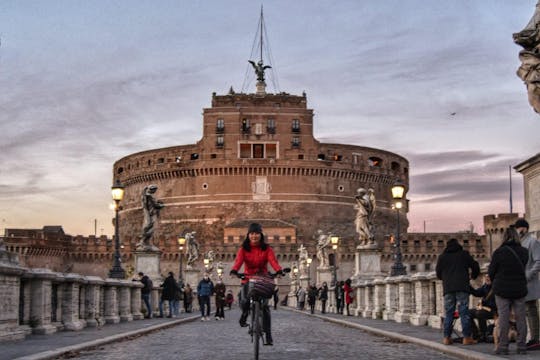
{"type": "Point", "coordinates": [509, 294]}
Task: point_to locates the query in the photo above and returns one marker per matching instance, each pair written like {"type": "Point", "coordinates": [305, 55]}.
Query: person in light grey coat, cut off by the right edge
{"type": "Point", "coordinates": [532, 273]}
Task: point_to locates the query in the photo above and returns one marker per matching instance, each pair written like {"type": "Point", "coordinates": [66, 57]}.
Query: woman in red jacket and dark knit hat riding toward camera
{"type": "Point", "coordinates": [255, 254]}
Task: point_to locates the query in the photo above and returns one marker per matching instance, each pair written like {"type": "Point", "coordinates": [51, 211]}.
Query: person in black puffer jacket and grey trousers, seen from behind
{"type": "Point", "coordinates": [507, 272]}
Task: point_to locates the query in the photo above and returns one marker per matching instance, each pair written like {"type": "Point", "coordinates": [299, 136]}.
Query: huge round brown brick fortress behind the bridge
{"type": "Point", "coordinates": [258, 161]}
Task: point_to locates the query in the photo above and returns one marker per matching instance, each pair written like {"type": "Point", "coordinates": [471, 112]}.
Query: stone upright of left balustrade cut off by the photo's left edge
{"type": "Point", "coordinates": [10, 282]}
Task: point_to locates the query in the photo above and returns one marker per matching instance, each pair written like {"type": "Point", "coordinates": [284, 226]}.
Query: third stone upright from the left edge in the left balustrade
{"type": "Point", "coordinates": [70, 302]}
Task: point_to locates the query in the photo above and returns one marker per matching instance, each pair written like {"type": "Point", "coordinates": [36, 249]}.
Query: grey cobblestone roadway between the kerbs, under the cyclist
{"type": "Point", "coordinates": [296, 336]}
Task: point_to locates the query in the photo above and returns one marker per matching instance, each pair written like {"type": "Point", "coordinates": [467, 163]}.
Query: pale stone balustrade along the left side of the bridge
{"type": "Point", "coordinates": [39, 301]}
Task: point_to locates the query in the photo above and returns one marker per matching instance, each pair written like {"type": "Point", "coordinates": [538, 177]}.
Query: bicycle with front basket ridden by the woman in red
{"type": "Point", "coordinates": [260, 289]}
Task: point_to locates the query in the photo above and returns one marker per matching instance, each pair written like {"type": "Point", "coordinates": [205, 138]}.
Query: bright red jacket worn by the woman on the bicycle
{"type": "Point", "coordinates": [255, 261]}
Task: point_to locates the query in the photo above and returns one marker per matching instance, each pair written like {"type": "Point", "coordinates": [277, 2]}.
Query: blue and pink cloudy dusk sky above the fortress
{"type": "Point", "coordinates": [85, 83]}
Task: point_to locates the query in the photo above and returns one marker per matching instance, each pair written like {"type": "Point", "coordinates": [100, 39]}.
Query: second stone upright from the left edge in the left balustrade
{"type": "Point", "coordinates": [41, 295]}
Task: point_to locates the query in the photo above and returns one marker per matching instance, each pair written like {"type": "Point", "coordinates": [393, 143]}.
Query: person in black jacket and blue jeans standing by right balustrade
{"type": "Point", "coordinates": [455, 267]}
